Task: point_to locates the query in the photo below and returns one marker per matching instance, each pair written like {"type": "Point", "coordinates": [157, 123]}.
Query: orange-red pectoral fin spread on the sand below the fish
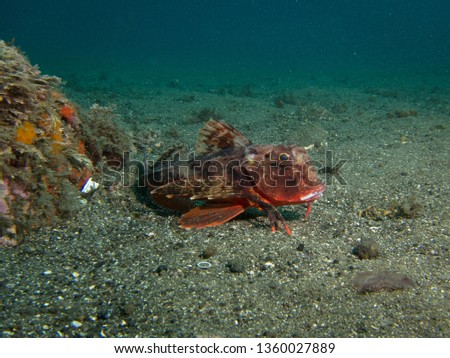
{"type": "Point", "coordinates": [210, 215]}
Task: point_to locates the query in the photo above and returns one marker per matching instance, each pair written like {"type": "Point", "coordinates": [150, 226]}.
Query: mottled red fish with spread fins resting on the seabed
{"type": "Point", "coordinates": [230, 174]}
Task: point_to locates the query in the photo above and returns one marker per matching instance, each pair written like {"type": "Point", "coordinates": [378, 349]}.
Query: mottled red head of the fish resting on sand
{"type": "Point", "coordinates": [283, 174]}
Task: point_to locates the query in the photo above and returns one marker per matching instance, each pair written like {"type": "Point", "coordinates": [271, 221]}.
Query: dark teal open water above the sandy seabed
{"type": "Point", "coordinates": [233, 38]}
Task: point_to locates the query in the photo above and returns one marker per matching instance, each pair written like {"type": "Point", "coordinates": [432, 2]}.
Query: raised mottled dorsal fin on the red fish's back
{"type": "Point", "coordinates": [217, 135]}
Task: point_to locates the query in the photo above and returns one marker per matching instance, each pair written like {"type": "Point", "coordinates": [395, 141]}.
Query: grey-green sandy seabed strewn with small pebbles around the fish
{"type": "Point", "coordinates": [122, 268]}
